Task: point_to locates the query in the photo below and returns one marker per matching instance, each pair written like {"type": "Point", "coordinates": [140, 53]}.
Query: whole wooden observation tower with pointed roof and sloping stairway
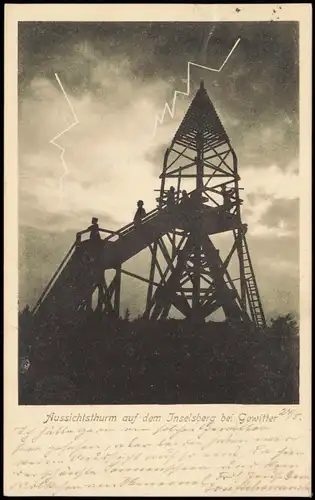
{"type": "Point", "coordinates": [196, 231]}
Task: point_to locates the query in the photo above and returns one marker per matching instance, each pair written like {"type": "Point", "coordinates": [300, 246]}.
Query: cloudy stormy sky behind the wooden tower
{"type": "Point", "coordinates": [118, 77]}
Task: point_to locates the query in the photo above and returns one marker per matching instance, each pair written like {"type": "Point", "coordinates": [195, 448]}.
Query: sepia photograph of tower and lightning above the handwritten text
{"type": "Point", "coordinates": [158, 207]}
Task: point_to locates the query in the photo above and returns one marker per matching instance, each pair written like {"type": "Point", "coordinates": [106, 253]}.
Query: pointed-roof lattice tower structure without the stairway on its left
{"type": "Point", "coordinates": [197, 280]}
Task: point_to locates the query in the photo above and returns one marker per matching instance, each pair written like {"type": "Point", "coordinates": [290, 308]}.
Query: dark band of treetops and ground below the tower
{"type": "Point", "coordinates": [102, 360]}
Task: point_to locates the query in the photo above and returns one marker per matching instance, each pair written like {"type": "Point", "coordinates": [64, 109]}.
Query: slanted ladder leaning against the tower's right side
{"type": "Point", "coordinates": [253, 297]}
